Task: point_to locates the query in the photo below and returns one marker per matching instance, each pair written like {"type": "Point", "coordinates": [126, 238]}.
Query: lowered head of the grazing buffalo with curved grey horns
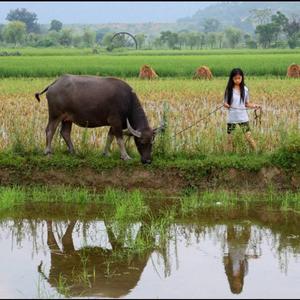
{"type": "Point", "coordinates": [144, 140]}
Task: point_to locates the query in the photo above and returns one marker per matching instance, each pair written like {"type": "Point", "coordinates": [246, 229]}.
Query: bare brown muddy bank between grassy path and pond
{"type": "Point", "coordinates": [169, 180]}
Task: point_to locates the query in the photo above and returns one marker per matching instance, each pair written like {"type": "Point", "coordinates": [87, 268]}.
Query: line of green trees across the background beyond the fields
{"type": "Point", "coordinates": [272, 31]}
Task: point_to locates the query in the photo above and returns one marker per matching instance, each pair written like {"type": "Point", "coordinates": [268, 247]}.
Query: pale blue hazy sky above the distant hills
{"type": "Point", "coordinates": [105, 11]}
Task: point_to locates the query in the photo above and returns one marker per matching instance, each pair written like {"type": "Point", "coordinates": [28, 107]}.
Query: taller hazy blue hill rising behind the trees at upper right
{"type": "Point", "coordinates": [236, 14]}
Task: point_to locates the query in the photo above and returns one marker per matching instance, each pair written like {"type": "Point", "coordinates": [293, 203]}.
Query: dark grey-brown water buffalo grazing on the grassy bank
{"type": "Point", "coordinates": [93, 101]}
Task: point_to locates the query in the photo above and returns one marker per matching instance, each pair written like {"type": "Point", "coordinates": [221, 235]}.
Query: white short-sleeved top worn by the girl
{"type": "Point", "coordinates": [238, 112]}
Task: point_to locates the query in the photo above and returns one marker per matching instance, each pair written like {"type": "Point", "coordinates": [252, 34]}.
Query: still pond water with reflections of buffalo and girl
{"type": "Point", "coordinates": [246, 255]}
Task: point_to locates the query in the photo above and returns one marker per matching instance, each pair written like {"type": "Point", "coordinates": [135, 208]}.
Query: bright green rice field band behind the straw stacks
{"type": "Point", "coordinates": [54, 62]}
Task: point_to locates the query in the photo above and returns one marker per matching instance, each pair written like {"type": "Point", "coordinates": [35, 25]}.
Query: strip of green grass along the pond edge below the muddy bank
{"type": "Point", "coordinates": [134, 206]}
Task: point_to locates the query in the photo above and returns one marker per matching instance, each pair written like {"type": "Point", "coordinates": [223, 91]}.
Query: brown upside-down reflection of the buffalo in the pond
{"type": "Point", "coordinates": [112, 272]}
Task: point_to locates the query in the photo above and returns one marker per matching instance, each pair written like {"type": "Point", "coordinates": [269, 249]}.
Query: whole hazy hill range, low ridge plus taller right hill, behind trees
{"type": "Point", "coordinates": [227, 13]}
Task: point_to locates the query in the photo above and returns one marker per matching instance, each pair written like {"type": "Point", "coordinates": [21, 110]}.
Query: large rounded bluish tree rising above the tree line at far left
{"type": "Point", "coordinates": [23, 15]}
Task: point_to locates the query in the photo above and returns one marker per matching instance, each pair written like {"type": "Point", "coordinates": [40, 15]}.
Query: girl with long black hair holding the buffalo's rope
{"type": "Point", "coordinates": [236, 99]}
